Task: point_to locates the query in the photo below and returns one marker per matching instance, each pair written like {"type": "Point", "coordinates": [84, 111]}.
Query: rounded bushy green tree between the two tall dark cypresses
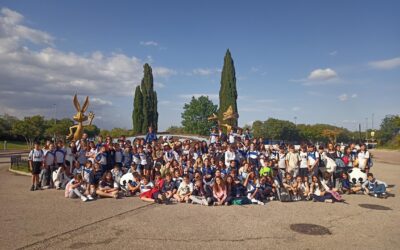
{"type": "Point", "coordinates": [195, 115]}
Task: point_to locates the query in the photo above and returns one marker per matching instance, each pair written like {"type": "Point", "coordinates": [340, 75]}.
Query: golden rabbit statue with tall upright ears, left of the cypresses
{"type": "Point", "coordinates": [80, 117]}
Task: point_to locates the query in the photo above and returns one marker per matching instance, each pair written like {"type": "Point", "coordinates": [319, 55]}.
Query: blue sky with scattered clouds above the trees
{"type": "Point", "coordinates": [332, 62]}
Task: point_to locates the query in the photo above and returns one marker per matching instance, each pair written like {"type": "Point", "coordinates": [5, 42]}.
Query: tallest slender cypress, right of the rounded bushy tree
{"type": "Point", "coordinates": [228, 92]}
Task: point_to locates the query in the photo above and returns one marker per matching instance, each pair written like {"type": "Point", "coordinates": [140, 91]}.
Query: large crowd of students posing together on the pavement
{"type": "Point", "coordinates": [228, 169]}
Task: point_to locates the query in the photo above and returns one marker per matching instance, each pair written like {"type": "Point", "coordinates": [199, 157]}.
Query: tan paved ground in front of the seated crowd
{"type": "Point", "coordinates": [45, 219]}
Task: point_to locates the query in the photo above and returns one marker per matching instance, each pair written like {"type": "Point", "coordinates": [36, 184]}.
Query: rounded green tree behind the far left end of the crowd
{"type": "Point", "coordinates": [31, 128]}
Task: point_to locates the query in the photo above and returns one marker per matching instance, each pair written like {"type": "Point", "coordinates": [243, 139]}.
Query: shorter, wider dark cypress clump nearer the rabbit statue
{"type": "Point", "coordinates": [145, 112]}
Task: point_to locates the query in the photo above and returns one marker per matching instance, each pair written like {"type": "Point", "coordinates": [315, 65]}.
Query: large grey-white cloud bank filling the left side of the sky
{"type": "Point", "coordinates": [46, 75]}
